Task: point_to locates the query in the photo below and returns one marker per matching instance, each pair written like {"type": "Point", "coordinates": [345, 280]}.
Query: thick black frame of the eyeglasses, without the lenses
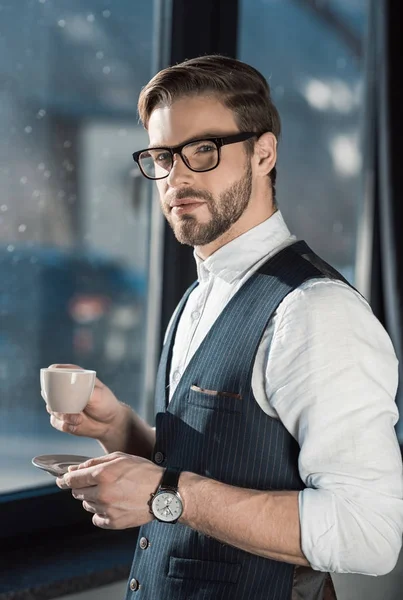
{"type": "Point", "coordinates": [218, 141]}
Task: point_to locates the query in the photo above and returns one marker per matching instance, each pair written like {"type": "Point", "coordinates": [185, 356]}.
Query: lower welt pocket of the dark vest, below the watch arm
{"type": "Point", "coordinates": [203, 570]}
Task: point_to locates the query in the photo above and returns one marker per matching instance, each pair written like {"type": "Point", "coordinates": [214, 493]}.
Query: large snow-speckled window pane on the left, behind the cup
{"type": "Point", "coordinates": [74, 212]}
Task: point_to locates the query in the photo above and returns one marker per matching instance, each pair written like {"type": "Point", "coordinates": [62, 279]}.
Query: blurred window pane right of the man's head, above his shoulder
{"type": "Point", "coordinates": [311, 54]}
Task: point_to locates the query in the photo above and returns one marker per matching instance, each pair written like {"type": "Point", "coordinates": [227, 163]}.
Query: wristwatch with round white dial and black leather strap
{"type": "Point", "coordinates": [166, 504]}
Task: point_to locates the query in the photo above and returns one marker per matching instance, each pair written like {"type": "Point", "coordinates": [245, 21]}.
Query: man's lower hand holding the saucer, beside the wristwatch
{"type": "Point", "coordinates": [116, 488]}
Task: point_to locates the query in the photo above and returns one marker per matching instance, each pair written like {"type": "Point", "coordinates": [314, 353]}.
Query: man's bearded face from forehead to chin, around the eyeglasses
{"type": "Point", "coordinates": [220, 196]}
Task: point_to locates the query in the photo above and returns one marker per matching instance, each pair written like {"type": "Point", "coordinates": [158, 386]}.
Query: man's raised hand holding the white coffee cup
{"type": "Point", "coordinates": [103, 413]}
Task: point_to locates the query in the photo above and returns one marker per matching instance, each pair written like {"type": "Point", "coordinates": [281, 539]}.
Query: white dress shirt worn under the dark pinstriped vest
{"type": "Point", "coordinates": [327, 369]}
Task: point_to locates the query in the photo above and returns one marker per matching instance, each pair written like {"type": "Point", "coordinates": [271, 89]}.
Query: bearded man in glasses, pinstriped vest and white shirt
{"type": "Point", "coordinates": [274, 459]}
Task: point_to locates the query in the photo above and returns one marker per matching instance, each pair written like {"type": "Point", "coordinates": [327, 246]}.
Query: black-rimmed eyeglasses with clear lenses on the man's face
{"type": "Point", "coordinates": [199, 155]}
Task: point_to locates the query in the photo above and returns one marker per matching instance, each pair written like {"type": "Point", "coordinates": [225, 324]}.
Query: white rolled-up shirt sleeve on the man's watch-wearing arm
{"type": "Point", "coordinates": [332, 377]}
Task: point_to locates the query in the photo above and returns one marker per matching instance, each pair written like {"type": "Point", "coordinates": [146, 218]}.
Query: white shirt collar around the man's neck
{"type": "Point", "coordinates": [232, 261]}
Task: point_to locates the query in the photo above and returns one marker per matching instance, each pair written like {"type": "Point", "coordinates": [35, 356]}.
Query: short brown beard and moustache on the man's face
{"type": "Point", "coordinates": [225, 211]}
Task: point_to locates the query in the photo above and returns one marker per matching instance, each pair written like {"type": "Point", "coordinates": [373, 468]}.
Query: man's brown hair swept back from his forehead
{"type": "Point", "coordinates": [239, 86]}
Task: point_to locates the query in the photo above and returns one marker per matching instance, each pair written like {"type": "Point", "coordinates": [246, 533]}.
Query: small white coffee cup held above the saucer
{"type": "Point", "coordinates": [67, 390]}
